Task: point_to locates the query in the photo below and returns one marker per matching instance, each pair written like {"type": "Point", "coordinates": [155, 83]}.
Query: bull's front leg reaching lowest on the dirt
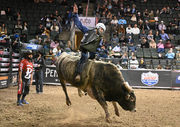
{"type": "Point", "coordinates": [100, 98]}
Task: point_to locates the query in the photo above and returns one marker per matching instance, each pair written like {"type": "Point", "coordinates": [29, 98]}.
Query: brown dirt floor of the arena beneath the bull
{"type": "Point", "coordinates": [155, 108]}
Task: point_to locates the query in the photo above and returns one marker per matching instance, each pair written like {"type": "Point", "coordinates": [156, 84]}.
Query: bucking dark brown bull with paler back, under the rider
{"type": "Point", "coordinates": [102, 81]}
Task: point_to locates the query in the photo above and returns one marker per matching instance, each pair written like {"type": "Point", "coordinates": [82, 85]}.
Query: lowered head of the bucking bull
{"type": "Point", "coordinates": [128, 99]}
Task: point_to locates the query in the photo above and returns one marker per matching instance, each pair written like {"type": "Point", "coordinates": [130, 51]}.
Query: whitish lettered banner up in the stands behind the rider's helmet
{"type": "Point", "coordinates": [88, 21]}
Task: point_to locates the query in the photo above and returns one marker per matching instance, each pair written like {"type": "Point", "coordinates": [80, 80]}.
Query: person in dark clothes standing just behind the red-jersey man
{"type": "Point", "coordinates": [39, 64]}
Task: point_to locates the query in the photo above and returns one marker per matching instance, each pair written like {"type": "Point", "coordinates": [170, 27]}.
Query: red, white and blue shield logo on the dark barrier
{"type": "Point", "coordinates": [149, 78]}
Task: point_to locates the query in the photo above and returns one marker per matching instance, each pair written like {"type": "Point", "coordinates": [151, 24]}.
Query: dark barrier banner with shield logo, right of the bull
{"type": "Point", "coordinates": [148, 78]}
